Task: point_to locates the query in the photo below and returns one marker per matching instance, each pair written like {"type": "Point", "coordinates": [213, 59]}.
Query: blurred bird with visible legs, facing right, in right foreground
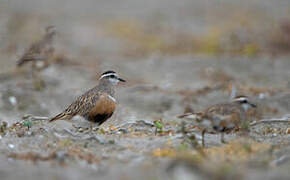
{"type": "Point", "coordinates": [222, 117]}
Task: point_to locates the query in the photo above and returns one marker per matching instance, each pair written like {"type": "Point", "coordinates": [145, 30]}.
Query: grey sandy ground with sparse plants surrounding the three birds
{"type": "Point", "coordinates": [162, 80]}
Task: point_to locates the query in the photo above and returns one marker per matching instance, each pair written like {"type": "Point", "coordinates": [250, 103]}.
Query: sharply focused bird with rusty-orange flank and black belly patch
{"type": "Point", "coordinates": [96, 105]}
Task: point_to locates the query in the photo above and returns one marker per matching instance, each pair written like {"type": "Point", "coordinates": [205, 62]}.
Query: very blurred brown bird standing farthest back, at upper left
{"type": "Point", "coordinates": [41, 51]}
